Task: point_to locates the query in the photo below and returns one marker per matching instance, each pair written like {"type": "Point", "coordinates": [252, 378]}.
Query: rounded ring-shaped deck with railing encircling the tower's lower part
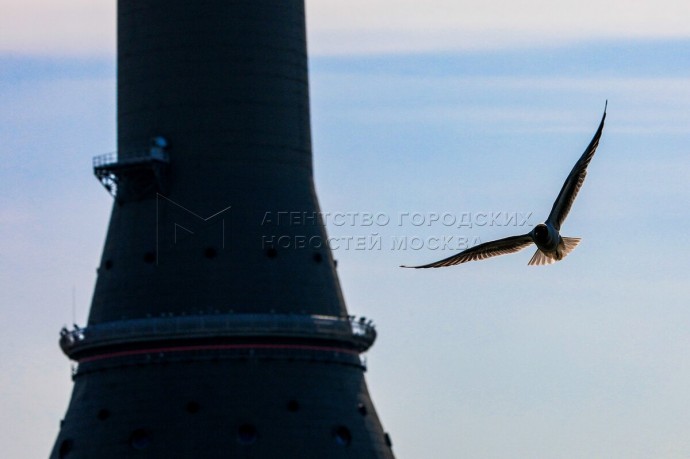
{"type": "Point", "coordinates": [159, 335]}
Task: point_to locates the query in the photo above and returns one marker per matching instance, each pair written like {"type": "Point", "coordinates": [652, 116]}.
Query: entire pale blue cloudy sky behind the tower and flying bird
{"type": "Point", "coordinates": [448, 122]}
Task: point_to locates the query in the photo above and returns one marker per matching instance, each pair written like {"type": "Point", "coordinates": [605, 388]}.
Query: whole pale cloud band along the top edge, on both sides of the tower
{"type": "Point", "coordinates": [83, 27]}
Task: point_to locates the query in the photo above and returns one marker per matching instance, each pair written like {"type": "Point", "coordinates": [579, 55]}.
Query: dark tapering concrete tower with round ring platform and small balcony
{"type": "Point", "coordinates": [217, 327]}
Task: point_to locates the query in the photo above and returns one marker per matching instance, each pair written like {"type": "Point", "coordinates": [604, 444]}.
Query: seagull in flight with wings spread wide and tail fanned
{"type": "Point", "coordinates": [551, 246]}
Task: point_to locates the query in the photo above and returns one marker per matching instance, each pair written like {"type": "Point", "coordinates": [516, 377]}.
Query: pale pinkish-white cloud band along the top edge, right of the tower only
{"type": "Point", "coordinates": [361, 26]}
